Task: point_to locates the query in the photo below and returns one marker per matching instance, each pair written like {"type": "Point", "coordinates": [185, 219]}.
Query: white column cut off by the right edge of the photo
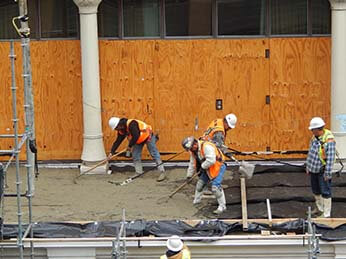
{"type": "Point", "coordinates": [338, 87]}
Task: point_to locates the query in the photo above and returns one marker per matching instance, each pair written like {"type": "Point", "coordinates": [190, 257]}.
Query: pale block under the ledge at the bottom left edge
{"type": "Point", "coordinates": [71, 253]}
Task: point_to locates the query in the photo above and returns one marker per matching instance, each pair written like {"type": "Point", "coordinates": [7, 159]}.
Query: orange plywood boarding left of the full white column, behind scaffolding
{"type": "Point", "coordinates": [57, 97]}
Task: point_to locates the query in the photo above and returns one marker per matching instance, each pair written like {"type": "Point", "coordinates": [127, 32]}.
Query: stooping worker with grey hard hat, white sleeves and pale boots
{"type": "Point", "coordinates": [207, 160]}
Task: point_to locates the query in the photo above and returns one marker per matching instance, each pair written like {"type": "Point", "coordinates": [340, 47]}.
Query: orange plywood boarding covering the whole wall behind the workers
{"type": "Point", "coordinates": [170, 84]}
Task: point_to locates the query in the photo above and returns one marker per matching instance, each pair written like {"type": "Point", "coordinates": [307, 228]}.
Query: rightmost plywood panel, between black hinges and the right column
{"type": "Point", "coordinates": [300, 89]}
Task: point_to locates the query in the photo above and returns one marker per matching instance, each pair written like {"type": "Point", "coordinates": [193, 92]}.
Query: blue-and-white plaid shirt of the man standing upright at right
{"type": "Point", "coordinates": [313, 162]}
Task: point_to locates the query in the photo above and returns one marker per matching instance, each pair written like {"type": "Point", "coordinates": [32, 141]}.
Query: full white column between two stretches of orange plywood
{"type": "Point", "coordinates": [93, 148]}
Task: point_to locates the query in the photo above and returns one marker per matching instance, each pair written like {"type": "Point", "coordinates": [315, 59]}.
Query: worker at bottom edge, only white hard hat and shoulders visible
{"type": "Point", "coordinates": [176, 249]}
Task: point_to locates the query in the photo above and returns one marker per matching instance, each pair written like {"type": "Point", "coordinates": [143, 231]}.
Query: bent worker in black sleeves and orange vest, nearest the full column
{"type": "Point", "coordinates": [138, 133]}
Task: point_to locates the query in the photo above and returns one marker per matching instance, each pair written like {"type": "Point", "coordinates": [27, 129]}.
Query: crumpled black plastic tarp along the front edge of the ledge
{"type": "Point", "coordinates": [139, 228]}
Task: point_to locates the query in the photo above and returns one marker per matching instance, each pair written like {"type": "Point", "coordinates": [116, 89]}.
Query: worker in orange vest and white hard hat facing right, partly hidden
{"type": "Point", "coordinates": [217, 129]}
